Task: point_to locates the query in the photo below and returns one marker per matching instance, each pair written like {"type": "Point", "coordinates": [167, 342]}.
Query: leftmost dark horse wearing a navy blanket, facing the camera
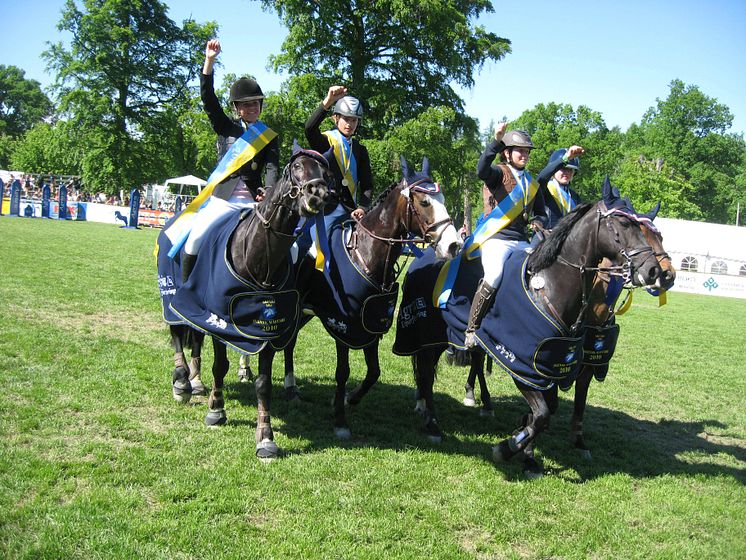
{"type": "Point", "coordinates": [241, 291]}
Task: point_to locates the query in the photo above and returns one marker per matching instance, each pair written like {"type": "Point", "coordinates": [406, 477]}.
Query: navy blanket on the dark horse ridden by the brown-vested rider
{"type": "Point", "coordinates": [516, 332]}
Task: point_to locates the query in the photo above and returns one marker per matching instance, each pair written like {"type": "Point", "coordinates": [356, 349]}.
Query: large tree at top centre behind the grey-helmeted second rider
{"type": "Point", "coordinates": [399, 57]}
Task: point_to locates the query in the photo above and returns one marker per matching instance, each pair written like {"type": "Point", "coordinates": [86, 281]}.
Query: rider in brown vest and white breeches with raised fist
{"type": "Point", "coordinates": [508, 192]}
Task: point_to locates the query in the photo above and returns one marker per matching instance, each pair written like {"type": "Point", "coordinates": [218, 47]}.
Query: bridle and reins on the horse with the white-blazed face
{"type": "Point", "coordinates": [411, 213]}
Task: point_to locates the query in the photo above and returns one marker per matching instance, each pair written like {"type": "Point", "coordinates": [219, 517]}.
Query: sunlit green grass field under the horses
{"type": "Point", "coordinates": [98, 461]}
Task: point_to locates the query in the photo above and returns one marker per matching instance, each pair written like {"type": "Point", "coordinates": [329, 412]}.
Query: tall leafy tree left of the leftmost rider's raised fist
{"type": "Point", "coordinates": [128, 64]}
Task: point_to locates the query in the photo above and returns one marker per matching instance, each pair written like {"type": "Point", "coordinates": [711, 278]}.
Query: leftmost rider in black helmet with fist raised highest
{"type": "Point", "coordinates": [244, 188]}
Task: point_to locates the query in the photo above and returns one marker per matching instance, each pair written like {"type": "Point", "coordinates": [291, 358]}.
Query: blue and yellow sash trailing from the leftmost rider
{"type": "Point", "coordinates": [243, 150]}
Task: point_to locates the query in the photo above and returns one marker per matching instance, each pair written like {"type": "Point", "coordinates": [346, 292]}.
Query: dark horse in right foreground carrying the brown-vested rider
{"type": "Point", "coordinates": [538, 343]}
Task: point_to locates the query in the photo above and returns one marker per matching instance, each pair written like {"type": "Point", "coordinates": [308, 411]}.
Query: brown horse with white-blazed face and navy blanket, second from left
{"type": "Point", "coordinates": [356, 297]}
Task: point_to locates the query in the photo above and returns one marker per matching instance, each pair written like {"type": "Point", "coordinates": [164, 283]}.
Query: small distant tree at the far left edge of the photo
{"type": "Point", "coordinates": [22, 102]}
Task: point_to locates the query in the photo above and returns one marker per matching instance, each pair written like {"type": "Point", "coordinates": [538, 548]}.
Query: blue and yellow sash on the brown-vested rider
{"type": "Point", "coordinates": [503, 214]}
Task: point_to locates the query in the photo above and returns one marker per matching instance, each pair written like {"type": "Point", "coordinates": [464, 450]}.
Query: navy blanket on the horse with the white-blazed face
{"type": "Point", "coordinates": [353, 308]}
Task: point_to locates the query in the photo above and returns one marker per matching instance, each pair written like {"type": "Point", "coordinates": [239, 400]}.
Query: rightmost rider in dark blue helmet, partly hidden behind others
{"type": "Point", "coordinates": [557, 197]}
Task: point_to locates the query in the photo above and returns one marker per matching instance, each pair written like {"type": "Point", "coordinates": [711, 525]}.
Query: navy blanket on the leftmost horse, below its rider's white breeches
{"type": "Point", "coordinates": [218, 302]}
